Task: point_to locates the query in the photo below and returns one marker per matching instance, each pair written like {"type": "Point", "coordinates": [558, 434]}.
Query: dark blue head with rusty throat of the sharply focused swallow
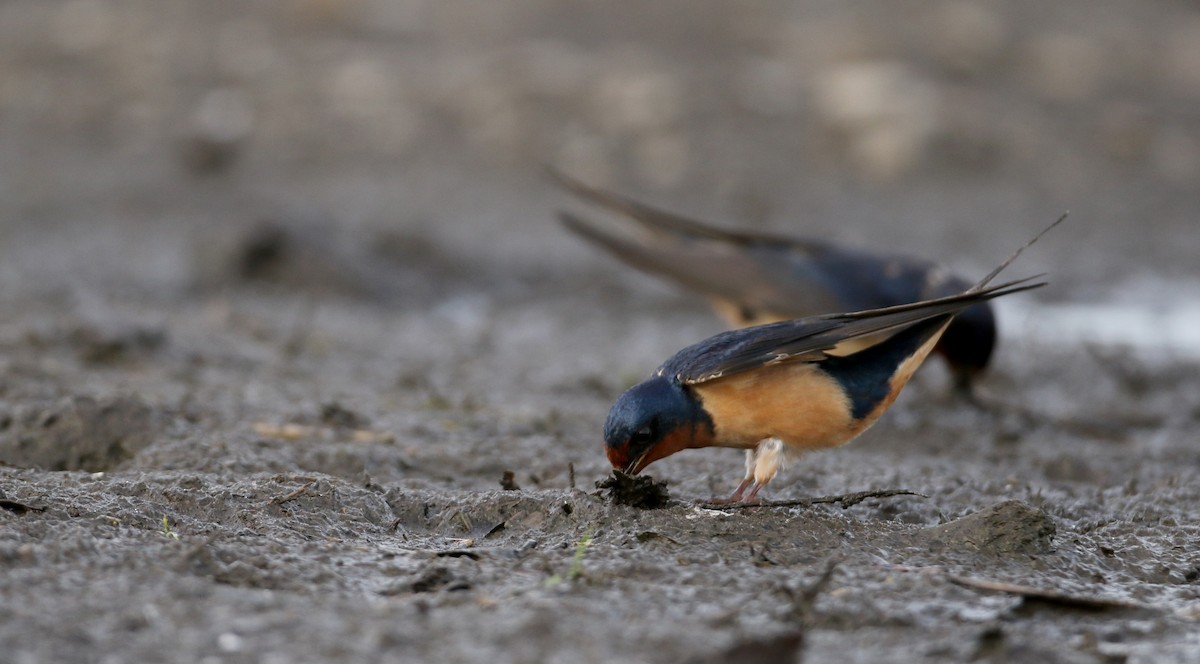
{"type": "Point", "coordinates": [652, 421]}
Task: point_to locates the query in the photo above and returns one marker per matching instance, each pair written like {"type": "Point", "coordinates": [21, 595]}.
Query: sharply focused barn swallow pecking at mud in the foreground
{"type": "Point", "coordinates": [779, 390]}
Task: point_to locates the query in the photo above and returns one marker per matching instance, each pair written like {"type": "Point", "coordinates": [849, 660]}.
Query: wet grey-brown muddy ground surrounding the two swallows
{"type": "Point", "coordinates": [284, 302]}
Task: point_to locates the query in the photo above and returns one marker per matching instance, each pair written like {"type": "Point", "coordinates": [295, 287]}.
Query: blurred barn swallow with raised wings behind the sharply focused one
{"type": "Point", "coordinates": [753, 279]}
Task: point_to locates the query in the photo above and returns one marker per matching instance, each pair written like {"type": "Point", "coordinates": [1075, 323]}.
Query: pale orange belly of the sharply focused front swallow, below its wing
{"type": "Point", "coordinates": [795, 403]}
